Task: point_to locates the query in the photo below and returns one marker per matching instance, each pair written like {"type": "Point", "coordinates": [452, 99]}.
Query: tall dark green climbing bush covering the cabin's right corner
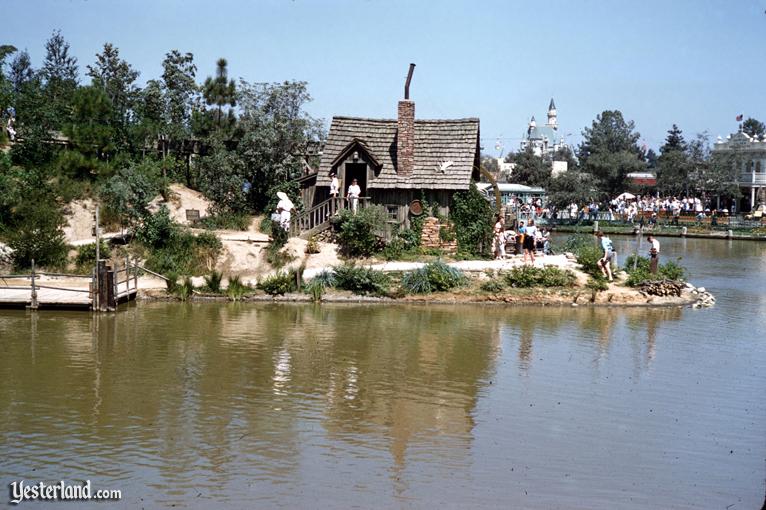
{"type": "Point", "coordinates": [472, 214]}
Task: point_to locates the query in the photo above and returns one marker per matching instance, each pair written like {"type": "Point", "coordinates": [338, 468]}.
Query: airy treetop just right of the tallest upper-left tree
{"type": "Point", "coordinates": [117, 79]}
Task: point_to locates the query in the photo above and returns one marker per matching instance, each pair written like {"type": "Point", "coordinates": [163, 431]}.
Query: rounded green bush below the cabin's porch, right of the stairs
{"type": "Point", "coordinates": [360, 234]}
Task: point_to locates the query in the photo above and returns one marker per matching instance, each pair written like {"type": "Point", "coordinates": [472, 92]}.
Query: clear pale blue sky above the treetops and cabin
{"type": "Point", "coordinates": [696, 63]}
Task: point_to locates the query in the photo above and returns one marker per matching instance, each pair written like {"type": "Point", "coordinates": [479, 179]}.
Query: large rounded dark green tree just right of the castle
{"type": "Point", "coordinates": [610, 151]}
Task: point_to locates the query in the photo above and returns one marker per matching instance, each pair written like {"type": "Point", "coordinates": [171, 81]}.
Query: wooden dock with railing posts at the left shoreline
{"type": "Point", "coordinates": [103, 290]}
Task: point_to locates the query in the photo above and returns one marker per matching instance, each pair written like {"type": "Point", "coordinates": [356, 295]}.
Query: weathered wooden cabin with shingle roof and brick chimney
{"type": "Point", "coordinates": [398, 161]}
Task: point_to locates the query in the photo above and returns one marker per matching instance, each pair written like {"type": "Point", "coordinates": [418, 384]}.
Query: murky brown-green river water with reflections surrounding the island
{"type": "Point", "coordinates": [389, 406]}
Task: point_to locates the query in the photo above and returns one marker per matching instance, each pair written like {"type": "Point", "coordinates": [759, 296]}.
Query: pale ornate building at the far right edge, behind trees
{"type": "Point", "coordinates": [751, 177]}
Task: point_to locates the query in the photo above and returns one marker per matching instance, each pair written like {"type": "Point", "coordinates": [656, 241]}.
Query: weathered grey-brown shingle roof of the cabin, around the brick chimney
{"type": "Point", "coordinates": [436, 142]}
